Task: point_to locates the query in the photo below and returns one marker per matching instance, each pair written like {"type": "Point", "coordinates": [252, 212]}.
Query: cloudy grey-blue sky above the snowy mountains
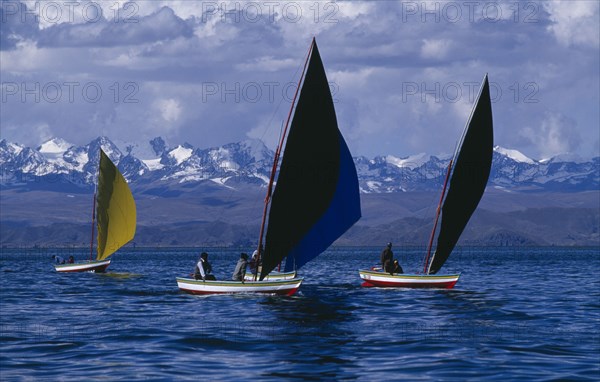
{"type": "Point", "coordinates": [403, 74]}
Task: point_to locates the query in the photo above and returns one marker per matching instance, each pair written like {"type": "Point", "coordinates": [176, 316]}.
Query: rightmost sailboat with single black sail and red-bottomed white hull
{"type": "Point", "coordinates": [467, 174]}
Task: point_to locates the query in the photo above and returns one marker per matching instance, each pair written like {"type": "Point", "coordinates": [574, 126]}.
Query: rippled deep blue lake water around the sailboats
{"type": "Point", "coordinates": [515, 314]}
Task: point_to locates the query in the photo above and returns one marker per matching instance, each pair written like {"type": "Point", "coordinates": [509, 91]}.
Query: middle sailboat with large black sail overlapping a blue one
{"type": "Point", "coordinates": [316, 197]}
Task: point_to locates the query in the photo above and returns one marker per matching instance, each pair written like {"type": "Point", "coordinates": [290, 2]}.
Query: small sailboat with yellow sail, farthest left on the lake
{"type": "Point", "coordinates": [115, 212]}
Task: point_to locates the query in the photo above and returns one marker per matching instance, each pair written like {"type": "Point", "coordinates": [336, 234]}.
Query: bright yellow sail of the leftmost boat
{"type": "Point", "coordinates": [115, 209]}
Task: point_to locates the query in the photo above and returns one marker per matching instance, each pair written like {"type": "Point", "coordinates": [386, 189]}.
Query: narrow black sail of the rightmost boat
{"type": "Point", "coordinates": [469, 178]}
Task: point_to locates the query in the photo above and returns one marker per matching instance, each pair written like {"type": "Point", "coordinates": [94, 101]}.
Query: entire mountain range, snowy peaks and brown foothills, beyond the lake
{"type": "Point", "coordinates": [188, 196]}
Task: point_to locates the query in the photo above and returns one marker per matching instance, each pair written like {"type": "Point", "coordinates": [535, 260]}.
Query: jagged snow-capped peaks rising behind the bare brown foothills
{"type": "Point", "coordinates": [250, 162]}
